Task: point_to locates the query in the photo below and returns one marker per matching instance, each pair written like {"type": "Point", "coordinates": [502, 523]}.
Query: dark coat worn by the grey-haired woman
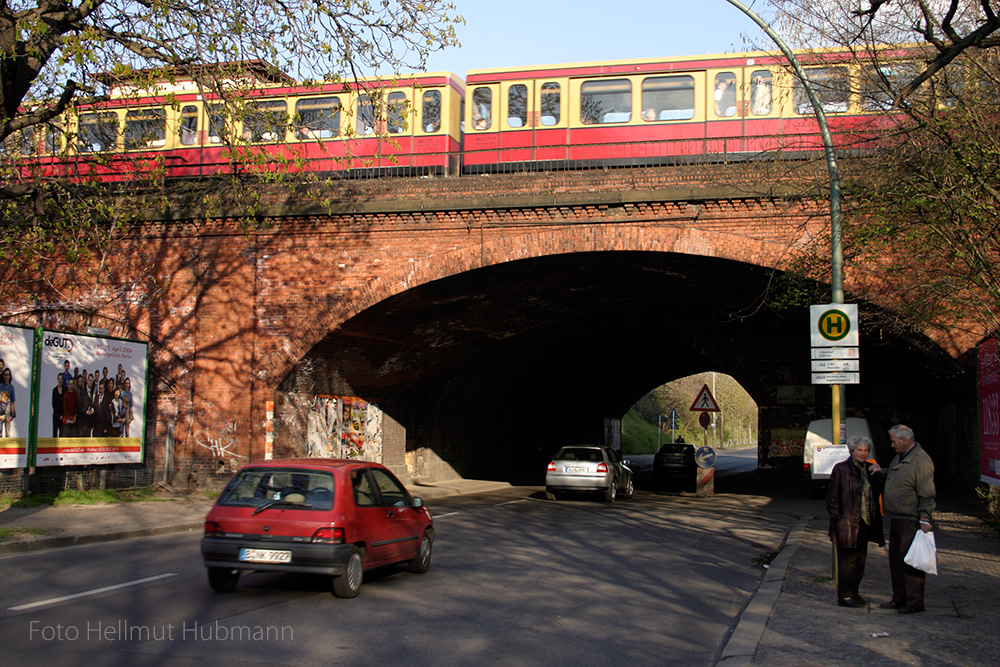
{"type": "Point", "coordinates": [843, 503]}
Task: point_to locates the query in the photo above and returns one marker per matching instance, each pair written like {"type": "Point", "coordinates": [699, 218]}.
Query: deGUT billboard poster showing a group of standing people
{"type": "Point", "coordinates": [92, 400]}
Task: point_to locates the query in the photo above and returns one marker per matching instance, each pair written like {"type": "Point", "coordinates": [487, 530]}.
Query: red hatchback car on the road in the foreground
{"type": "Point", "coordinates": [317, 516]}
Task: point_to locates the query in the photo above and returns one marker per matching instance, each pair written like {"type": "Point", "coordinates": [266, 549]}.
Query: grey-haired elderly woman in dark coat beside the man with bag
{"type": "Point", "coordinates": [852, 500]}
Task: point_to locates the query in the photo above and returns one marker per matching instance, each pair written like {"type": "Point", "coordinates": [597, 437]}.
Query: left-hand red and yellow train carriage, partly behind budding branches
{"type": "Point", "coordinates": [406, 125]}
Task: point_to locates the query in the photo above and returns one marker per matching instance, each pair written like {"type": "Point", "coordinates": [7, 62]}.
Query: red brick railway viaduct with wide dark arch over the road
{"type": "Point", "coordinates": [491, 317]}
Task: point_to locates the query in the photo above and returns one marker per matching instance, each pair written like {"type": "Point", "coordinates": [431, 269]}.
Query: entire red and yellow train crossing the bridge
{"type": "Point", "coordinates": [543, 117]}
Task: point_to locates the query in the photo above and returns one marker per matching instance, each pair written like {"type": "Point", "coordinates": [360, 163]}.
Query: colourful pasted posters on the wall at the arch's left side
{"type": "Point", "coordinates": [345, 427]}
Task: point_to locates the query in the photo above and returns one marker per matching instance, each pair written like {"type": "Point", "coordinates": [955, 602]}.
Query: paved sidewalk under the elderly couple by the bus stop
{"type": "Point", "coordinates": [805, 627]}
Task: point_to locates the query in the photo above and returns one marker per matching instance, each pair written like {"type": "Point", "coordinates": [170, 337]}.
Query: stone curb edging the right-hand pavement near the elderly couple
{"type": "Point", "coordinates": [742, 644]}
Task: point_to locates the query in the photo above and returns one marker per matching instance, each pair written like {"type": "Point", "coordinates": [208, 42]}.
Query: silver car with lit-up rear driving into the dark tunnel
{"type": "Point", "coordinates": [588, 468]}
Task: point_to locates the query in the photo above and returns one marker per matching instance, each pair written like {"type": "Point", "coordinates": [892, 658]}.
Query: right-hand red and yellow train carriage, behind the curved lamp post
{"type": "Point", "coordinates": [647, 112]}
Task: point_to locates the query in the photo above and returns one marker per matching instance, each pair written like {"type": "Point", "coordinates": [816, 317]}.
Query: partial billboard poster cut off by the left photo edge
{"type": "Point", "coordinates": [16, 355]}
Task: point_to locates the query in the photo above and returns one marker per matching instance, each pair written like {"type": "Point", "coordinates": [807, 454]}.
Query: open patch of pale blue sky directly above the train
{"type": "Point", "coordinates": [536, 32]}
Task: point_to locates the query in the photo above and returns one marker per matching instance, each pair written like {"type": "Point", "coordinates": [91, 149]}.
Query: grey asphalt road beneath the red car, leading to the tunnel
{"type": "Point", "coordinates": [515, 580]}
